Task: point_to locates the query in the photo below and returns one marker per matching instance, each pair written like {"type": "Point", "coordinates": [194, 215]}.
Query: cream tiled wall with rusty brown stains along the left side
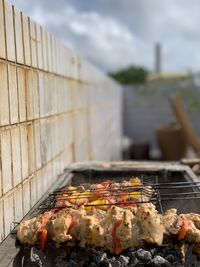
{"type": "Point", "coordinates": [55, 108]}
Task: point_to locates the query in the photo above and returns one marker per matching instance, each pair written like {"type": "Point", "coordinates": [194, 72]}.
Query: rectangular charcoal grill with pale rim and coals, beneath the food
{"type": "Point", "coordinates": [175, 186]}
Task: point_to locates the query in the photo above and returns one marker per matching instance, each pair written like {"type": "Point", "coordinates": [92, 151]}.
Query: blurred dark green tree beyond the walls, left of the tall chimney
{"type": "Point", "coordinates": [130, 75]}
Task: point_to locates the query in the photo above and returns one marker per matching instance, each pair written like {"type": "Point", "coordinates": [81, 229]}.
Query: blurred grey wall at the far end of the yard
{"type": "Point", "coordinates": [145, 107]}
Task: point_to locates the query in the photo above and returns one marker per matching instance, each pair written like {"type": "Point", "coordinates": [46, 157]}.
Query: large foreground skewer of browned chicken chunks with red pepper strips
{"type": "Point", "coordinates": [115, 229]}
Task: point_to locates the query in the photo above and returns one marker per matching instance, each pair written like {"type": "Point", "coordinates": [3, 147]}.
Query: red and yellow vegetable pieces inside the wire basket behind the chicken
{"type": "Point", "coordinates": [105, 194]}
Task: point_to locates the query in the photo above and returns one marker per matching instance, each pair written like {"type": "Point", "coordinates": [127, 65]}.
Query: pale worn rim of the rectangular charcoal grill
{"type": "Point", "coordinates": [8, 250]}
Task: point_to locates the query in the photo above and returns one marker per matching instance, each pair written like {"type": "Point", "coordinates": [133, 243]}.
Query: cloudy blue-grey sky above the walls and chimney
{"type": "Point", "coordinates": [115, 33]}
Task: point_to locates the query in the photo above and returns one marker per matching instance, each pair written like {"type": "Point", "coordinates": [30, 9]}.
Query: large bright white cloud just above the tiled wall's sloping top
{"type": "Point", "coordinates": [102, 39]}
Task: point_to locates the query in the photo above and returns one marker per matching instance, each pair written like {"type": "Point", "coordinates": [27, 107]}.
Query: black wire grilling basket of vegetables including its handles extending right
{"type": "Point", "coordinates": [150, 191]}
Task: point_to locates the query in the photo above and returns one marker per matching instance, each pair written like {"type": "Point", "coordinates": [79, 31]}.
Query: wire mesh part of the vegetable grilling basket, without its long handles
{"type": "Point", "coordinates": [112, 194]}
